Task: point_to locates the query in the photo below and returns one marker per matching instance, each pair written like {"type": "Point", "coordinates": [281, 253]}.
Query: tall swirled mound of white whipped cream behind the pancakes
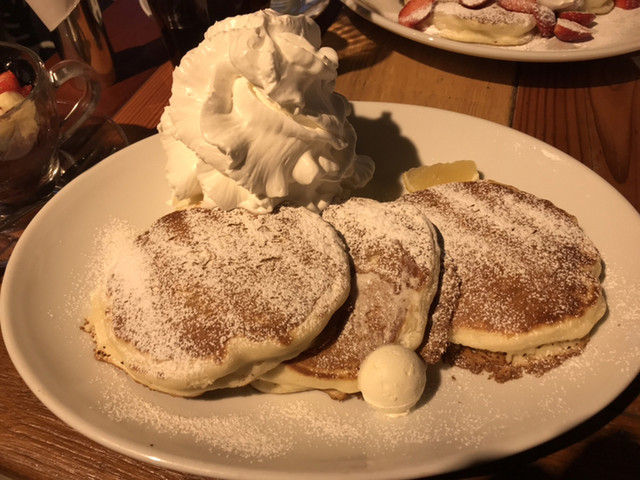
{"type": "Point", "coordinates": [253, 118]}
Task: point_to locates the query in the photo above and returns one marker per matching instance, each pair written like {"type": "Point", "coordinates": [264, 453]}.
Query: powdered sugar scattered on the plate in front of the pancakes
{"type": "Point", "coordinates": [459, 412]}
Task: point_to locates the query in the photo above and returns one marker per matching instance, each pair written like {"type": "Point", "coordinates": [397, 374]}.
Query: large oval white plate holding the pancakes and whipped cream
{"type": "Point", "coordinates": [462, 418]}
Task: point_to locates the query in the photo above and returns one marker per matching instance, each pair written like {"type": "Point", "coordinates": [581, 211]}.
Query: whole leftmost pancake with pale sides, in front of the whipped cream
{"type": "Point", "coordinates": [208, 299]}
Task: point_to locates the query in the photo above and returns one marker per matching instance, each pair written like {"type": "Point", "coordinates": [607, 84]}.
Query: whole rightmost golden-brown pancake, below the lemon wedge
{"type": "Point", "coordinates": [529, 277]}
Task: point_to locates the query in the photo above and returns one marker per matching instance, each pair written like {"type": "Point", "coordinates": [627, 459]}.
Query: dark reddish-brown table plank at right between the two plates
{"type": "Point", "coordinates": [590, 110]}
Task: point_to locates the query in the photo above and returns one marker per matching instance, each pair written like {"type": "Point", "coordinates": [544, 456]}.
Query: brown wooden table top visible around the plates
{"type": "Point", "coordinates": [590, 110]}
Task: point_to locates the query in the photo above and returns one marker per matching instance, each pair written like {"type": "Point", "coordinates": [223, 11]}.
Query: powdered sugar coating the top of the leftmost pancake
{"type": "Point", "coordinates": [178, 264]}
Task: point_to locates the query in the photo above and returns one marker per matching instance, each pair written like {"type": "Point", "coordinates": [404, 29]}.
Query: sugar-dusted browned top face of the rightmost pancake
{"type": "Point", "coordinates": [507, 244]}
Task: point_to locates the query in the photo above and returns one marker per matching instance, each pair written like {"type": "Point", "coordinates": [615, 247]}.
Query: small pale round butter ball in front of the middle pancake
{"type": "Point", "coordinates": [392, 379]}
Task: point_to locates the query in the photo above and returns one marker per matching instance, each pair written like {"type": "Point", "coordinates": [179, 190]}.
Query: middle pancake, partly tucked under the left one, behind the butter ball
{"type": "Point", "coordinates": [396, 262]}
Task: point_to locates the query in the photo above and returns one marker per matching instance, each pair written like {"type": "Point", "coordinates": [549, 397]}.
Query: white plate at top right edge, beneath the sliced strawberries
{"type": "Point", "coordinates": [614, 34]}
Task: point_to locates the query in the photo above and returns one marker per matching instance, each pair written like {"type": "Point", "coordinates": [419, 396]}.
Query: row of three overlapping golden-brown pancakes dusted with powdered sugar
{"type": "Point", "coordinates": [482, 274]}
